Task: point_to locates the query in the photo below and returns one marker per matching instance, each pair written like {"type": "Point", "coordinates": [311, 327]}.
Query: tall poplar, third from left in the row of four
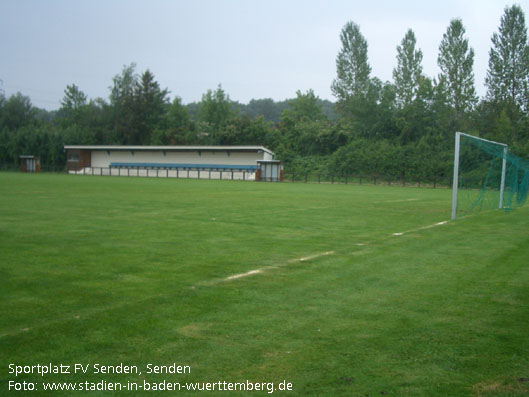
{"type": "Point", "coordinates": [456, 60]}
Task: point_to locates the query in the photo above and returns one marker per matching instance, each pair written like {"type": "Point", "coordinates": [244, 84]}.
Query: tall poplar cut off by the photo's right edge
{"type": "Point", "coordinates": [507, 76]}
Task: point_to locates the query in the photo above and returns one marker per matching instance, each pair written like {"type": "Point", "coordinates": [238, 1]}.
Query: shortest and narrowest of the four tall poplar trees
{"type": "Point", "coordinates": [408, 70]}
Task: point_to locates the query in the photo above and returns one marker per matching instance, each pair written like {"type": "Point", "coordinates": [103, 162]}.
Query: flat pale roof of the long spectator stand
{"type": "Point", "coordinates": [173, 148]}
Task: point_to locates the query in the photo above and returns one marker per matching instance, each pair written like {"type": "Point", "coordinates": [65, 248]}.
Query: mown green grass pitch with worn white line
{"type": "Point", "coordinates": [338, 289]}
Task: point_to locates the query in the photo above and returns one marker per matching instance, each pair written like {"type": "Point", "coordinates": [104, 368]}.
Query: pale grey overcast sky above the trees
{"type": "Point", "coordinates": [253, 48]}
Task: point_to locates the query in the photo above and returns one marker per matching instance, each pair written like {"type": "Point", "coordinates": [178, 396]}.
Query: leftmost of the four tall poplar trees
{"type": "Point", "coordinates": [352, 65]}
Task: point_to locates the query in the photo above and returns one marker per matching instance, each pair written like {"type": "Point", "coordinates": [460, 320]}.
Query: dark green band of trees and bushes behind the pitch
{"type": "Point", "coordinates": [403, 128]}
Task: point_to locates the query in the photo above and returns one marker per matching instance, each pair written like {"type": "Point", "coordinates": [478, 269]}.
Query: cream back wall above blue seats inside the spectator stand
{"type": "Point", "coordinates": [102, 158]}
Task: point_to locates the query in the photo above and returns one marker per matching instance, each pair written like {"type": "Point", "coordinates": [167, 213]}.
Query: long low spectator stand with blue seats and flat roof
{"type": "Point", "coordinates": [205, 162]}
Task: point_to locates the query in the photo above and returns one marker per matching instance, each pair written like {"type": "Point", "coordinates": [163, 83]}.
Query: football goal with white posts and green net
{"type": "Point", "coordinates": [486, 176]}
